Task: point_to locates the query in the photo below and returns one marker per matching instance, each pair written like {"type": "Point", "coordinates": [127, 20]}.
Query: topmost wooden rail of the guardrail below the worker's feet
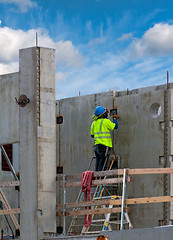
{"type": "Point", "coordinates": [116, 172]}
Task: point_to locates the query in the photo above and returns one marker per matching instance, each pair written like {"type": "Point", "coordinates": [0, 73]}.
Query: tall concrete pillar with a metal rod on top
{"type": "Point", "coordinates": [37, 136]}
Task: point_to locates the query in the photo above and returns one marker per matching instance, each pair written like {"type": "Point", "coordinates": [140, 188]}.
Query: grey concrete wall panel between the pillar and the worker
{"type": "Point", "coordinates": [76, 147]}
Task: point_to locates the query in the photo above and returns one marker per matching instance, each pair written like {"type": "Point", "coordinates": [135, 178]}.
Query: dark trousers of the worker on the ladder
{"type": "Point", "coordinates": [101, 153]}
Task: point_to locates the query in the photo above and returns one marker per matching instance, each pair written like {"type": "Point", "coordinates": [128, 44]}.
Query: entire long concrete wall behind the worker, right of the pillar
{"type": "Point", "coordinates": [143, 140]}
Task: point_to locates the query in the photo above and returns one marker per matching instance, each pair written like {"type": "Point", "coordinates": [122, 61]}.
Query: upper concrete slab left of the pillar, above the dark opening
{"type": "Point", "coordinates": [9, 117]}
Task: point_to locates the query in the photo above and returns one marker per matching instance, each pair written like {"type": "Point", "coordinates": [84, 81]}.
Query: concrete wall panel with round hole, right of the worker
{"type": "Point", "coordinates": [140, 144]}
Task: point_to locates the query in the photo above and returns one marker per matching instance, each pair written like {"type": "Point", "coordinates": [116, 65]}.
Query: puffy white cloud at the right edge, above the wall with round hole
{"type": "Point", "coordinates": [157, 41]}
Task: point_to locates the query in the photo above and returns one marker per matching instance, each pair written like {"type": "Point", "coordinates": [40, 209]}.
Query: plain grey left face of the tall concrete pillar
{"type": "Point", "coordinates": [28, 145]}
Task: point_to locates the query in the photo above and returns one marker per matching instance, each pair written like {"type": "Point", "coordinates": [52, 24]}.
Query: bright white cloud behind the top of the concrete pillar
{"type": "Point", "coordinates": [13, 40]}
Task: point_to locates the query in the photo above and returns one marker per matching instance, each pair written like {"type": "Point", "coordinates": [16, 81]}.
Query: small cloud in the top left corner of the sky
{"type": "Point", "coordinates": [23, 5]}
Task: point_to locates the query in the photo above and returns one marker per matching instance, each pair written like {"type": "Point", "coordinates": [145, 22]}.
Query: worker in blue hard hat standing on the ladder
{"type": "Point", "coordinates": [100, 131]}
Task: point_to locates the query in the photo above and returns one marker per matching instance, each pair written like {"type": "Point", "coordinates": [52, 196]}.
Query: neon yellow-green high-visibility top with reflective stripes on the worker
{"type": "Point", "coordinates": [101, 131]}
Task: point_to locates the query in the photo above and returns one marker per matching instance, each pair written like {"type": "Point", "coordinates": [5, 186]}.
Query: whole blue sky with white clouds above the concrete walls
{"type": "Point", "coordinates": [100, 45]}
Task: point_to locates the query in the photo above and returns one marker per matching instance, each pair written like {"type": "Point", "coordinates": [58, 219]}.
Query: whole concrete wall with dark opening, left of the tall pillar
{"type": "Point", "coordinates": [9, 133]}
